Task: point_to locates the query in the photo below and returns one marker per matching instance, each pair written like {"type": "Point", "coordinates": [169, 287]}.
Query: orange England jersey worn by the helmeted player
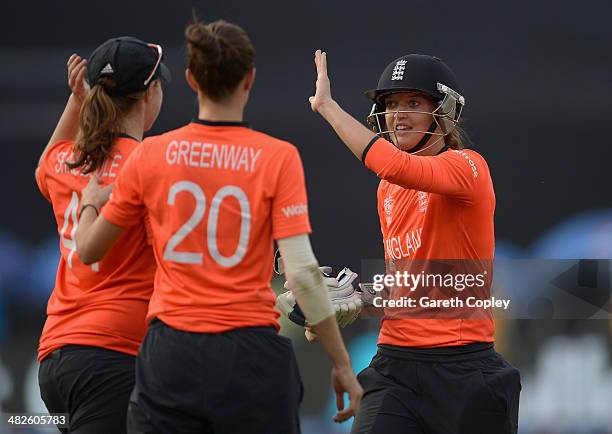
{"type": "Point", "coordinates": [434, 207]}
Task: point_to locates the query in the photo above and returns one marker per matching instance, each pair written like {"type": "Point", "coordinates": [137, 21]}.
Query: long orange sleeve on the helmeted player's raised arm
{"type": "Point", "coordinates": [452, 173]}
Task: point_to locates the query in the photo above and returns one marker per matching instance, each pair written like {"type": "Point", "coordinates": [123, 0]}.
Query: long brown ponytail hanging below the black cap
{"type": "Point", "coordinates": [99, 125]}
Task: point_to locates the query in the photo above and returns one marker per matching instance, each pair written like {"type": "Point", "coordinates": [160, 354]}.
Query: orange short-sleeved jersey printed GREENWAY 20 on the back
{"type": "Point", "coordinates": [217, 194]}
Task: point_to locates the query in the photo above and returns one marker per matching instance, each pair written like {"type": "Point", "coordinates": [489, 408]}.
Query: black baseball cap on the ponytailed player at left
{"type": "Point", "coordinates": [130, 62]}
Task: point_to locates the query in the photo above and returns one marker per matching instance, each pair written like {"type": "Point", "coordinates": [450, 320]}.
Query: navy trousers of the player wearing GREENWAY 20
{"type": "Point", "coordinates": [242, 381]}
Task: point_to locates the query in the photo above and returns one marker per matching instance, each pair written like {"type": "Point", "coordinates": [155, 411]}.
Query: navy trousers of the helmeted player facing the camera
{"type": "Point", "coordinates": [458, 390]}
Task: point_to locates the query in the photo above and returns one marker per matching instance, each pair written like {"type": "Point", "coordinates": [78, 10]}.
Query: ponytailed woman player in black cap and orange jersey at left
{"type": "Point", "coordinates": [96, 313]}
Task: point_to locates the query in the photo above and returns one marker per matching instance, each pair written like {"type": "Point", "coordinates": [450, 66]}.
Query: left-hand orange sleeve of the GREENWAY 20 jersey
{"type": "Point", "coordinates": [126, 207]}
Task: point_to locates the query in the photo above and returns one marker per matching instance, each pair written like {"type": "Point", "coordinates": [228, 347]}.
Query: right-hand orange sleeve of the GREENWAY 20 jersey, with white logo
{"type": "Point", "coordinates": [290, 202]}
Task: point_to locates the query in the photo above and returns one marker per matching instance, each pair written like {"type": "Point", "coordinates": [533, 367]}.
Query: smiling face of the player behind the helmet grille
{"type": "Point", "coordinates": [409, 128]}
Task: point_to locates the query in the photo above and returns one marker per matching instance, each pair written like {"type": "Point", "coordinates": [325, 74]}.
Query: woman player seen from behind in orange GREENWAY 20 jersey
{"type": "Point", "coordinates": [217, 194]}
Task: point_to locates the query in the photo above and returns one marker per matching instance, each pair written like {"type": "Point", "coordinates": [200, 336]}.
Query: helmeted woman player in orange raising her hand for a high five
{"type": "Point", "coordinates": [435, 375]}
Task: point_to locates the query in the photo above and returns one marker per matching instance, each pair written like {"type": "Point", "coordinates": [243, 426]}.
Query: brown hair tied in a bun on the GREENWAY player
{"type": "Point", "coordinates": [219, 54]}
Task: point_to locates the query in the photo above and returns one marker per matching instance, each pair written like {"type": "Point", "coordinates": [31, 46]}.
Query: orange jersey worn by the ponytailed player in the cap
{"type": "Point", "coordinates": [103, 304]}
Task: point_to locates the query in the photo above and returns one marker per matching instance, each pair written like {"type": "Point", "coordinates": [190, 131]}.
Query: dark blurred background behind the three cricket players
{"type": "Point", "coordinates": [537, 79]}
